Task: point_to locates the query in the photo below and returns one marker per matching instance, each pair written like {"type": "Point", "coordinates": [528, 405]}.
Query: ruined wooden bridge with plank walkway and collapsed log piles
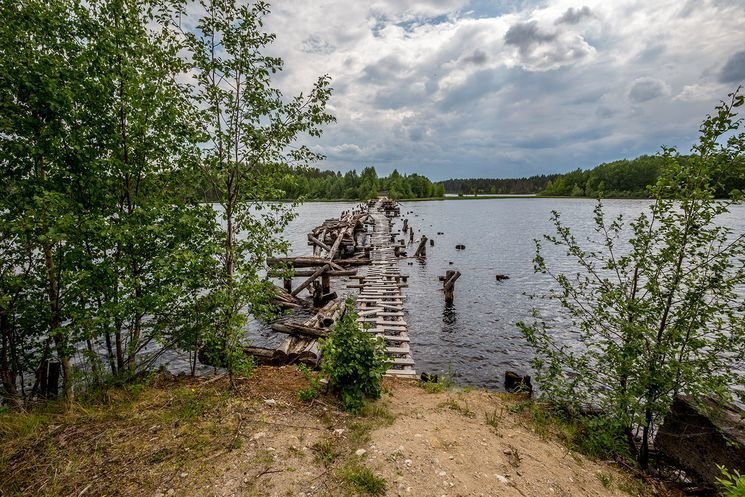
{"type": "Point", "coordinates": [362, 240]}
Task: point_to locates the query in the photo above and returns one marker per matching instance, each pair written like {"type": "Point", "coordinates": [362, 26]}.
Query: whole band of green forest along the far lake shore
{"type": "Point", "coordinates": [621, 179]}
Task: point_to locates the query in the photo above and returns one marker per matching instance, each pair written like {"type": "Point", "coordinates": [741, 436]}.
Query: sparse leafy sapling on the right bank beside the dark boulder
{"type": "Point", "coordinates": [656, 308]}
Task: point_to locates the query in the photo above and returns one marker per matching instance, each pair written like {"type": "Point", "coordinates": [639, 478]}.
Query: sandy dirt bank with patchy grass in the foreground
{"type": "Point", "coordinates": [202, 438]}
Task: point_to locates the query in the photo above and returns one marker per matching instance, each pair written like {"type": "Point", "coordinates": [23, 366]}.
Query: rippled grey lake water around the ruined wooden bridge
{"type": "Point", "coordinates": [477, 339]}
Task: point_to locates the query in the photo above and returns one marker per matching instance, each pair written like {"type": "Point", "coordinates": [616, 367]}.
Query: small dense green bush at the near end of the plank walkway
{"type": "Point", "coordinates": [354, 362]}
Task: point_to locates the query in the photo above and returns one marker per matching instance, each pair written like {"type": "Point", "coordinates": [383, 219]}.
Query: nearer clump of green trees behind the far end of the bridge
{"type": "Point", "coordinates": [314, 184]}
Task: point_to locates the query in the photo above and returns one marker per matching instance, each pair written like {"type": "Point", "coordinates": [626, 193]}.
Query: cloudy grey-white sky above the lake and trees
{"type": "Point", "coordinates": [508, 88]}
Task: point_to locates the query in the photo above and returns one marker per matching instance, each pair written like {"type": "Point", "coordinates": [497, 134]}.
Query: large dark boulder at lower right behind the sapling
{"type": "Point", "coordinates": [698, 442]}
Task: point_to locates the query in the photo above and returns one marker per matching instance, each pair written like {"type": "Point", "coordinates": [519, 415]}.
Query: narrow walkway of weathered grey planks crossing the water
{"type": "Point", "coordinates": [380, 303]}
